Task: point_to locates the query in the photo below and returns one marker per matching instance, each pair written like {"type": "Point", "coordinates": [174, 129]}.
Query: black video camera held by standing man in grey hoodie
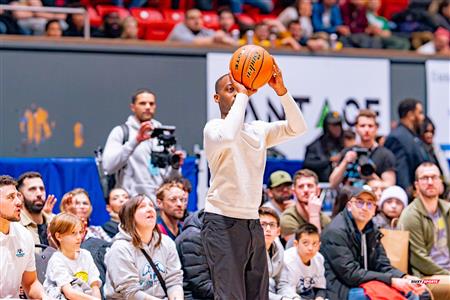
{"type": "Point", "coordinates": [166, 138]}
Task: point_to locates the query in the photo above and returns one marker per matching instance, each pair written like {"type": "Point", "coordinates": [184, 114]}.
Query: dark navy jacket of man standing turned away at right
{"type": "Point", "coordinates": [409, 153]}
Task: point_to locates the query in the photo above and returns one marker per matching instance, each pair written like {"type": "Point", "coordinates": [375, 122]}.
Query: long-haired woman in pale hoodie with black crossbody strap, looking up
{"type": "Point", "coordinates": [130, 274]}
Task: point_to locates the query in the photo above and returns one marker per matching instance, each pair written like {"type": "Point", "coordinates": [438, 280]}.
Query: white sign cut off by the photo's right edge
{"type": "Point", "coordinates": [438, 99]}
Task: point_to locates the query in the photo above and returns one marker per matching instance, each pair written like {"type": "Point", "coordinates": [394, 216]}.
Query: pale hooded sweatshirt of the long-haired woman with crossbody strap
{"type": "Point", "coordinates": [130, 275]}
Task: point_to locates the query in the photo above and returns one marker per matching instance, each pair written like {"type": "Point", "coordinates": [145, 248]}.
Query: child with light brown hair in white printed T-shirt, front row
{"type": "Point", "coordinates": [71, 271]}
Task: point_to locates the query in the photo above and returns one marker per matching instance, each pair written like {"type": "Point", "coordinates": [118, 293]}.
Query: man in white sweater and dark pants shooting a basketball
{"type": "Point", "coordinates": [236, 151]}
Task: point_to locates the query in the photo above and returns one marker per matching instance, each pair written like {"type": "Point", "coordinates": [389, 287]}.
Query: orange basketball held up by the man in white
{"type": "Point", "coordinates": [252, 66]}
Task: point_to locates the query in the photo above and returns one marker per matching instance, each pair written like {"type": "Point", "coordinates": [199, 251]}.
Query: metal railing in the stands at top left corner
{"type": "Point", "coordinates": [57, 10]}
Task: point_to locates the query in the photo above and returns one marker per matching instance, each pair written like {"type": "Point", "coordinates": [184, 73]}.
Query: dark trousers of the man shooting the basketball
{"type": "Point", "coordinates": [236, 255]}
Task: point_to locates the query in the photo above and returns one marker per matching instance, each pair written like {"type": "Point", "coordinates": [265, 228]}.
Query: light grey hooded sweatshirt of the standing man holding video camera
{"type": "Point", "coordinates": [132, 160]}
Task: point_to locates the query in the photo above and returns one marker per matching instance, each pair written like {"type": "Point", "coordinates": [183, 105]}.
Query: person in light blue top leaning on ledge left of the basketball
{"type": "Point", "coordinates": [193, 31]}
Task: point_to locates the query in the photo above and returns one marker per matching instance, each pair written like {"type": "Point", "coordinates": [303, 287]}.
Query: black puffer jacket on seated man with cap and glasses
{"type": "Point", "coordinates": [341, 245]}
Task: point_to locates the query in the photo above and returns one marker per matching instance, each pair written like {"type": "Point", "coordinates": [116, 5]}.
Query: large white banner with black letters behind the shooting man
{"type": "Point", "coordinates": [344, 84]}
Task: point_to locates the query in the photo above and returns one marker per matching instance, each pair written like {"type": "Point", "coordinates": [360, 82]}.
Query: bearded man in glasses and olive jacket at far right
{"type": "Point", "coordinates": [427, 219]}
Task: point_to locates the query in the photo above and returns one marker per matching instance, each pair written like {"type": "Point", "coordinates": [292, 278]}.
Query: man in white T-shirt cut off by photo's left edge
{"type": "Point", "coordinates": [17, 262]}
